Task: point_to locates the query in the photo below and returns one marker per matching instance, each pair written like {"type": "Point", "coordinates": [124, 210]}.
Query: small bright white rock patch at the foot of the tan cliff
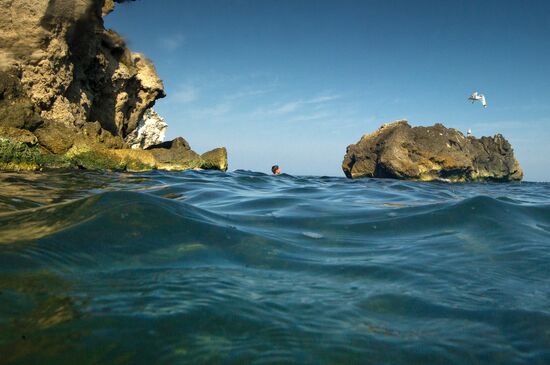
{"type": "Point", "coordinates": [151, 130]}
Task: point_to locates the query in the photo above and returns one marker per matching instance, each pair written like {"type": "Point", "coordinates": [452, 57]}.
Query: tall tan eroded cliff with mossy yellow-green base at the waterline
{"type": "Point", "coordinates": [69, 86]}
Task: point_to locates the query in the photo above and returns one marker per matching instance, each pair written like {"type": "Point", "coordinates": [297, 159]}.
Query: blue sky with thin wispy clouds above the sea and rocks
{"type": "Point", "coordinates": [294, 82]}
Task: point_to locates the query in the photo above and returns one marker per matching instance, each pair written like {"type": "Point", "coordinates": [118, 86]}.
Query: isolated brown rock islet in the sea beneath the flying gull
{"type": "Point", "coordinates": [397, 150]}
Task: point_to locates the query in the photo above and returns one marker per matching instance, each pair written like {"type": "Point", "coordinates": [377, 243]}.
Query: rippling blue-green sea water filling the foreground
{"type": "Point", "coordinates": [245, 268]}
